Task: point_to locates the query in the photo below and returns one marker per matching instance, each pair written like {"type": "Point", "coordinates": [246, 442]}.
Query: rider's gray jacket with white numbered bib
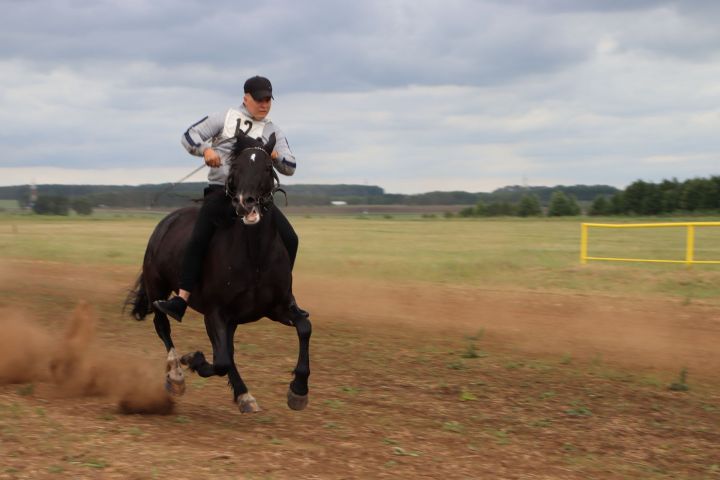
{"type": "Point", "coordinates": [214, 130]}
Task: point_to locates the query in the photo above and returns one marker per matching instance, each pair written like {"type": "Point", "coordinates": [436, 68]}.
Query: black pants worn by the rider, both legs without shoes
{"type": "Point", "coordinates": [217, 210]}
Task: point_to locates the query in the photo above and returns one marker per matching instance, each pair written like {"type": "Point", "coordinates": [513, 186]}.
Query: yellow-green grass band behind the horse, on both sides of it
{"type": "Point", "coordinates": [526, 254]}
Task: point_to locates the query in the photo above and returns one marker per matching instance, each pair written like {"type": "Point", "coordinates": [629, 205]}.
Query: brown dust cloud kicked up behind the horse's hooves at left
{"type": "Point", "coordinates": [77, 364]}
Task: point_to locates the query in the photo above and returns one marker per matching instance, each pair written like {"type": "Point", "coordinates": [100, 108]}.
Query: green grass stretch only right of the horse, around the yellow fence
{"type": "Point", "coordinates": [528, 254]}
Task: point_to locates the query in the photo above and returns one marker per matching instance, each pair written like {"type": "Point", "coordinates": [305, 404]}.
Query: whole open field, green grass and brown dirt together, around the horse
{"type": "Point", "coordinates": [442, 348]}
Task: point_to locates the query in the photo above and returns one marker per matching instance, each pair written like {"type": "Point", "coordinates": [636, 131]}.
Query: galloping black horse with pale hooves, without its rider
{"type": "Point", "coordinates": [246, 276]}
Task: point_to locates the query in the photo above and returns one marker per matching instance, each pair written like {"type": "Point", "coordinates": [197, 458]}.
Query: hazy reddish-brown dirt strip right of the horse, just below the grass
{"type": "Point", "coordinates": [644, 334]}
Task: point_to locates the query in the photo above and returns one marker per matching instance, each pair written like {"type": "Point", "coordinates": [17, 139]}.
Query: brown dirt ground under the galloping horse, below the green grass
{"type": "Point", "coordinates": [408, 381]}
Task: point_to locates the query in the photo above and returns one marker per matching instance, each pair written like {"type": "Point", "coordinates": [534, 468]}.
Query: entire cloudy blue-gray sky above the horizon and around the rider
{"type": "Point", "coordinates": [410, 95]}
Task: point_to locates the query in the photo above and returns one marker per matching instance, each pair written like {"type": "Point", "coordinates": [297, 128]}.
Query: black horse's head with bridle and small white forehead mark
{"type": "Point", "coordinates": [252, 179]}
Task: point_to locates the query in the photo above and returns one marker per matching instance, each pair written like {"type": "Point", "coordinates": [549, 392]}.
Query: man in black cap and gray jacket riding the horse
{"type": "Point", "coordinates": [209, 138]}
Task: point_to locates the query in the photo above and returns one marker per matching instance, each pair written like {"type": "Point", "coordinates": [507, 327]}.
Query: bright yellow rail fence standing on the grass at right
{"type": "Point", "coordinates": [689, 245]}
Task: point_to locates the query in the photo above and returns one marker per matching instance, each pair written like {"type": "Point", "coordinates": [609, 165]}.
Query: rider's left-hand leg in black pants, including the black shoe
{"type": "Point", "coordinates": [214, 207]}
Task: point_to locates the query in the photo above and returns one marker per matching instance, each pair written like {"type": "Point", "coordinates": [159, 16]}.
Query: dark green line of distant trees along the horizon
{"type": "Point", "coordinates": [697, 195]}
